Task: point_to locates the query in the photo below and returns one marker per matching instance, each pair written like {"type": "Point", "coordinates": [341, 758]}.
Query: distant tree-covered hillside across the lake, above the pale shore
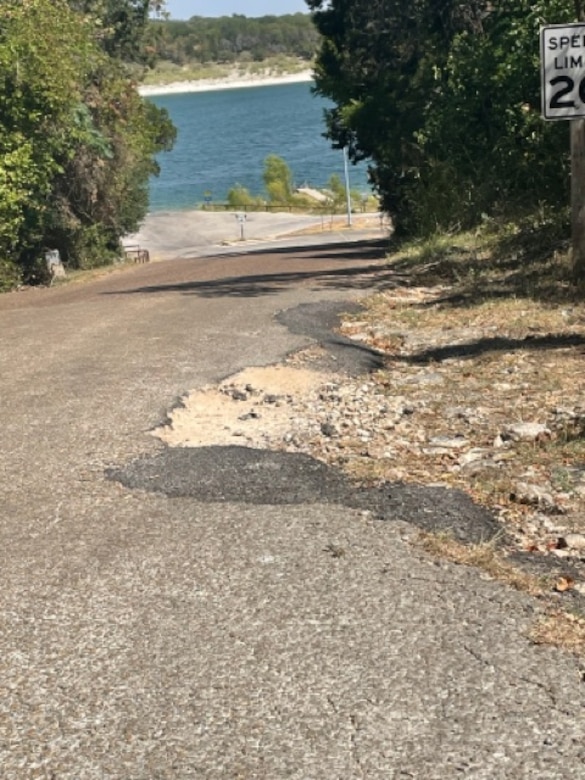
{"type": "Point", "coordinates": [231, 39]}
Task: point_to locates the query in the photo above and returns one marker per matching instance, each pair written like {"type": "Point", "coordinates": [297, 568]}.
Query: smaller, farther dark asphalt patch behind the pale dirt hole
{"type": "Point", "coordinates": [319, 321]}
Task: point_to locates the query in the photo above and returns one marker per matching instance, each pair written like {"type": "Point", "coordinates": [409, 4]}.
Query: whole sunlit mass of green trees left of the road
{"type": "Point", "coordinates": [77, 142]}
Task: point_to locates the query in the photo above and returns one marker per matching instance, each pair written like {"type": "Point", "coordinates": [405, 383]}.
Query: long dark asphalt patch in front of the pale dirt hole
{"type": "Point", "coordinates": [263, 477]}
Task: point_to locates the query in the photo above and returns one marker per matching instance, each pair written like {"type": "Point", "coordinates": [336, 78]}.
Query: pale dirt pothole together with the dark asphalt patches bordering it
{"type": "Point", "coordinates": [222, 445]}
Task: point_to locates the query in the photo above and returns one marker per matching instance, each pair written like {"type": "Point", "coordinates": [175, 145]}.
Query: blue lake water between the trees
{"type": "Point", "coordinates": [225, 136]}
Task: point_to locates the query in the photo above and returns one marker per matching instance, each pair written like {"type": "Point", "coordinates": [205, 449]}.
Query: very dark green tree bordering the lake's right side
{"type": "Point", "coordinates": [376, 63]}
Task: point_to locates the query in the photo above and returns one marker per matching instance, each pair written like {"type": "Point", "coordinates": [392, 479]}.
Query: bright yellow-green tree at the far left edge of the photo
{"type": "Point", "coordinates": [41, 81]}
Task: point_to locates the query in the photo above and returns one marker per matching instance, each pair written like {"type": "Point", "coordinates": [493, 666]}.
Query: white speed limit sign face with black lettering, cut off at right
{"type": "Point", "coordinates": [562, 54]}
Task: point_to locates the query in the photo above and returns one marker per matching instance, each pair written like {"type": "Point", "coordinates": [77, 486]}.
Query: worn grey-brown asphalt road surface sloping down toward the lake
{"type": "Point", "coordinates": [147, 634]}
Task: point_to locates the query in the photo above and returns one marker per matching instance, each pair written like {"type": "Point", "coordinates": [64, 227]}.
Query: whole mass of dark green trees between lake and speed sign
{"type": "Point", "coordinates": [443, 97]}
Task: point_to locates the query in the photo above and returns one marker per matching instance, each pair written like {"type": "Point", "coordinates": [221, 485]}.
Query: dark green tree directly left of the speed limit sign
{"type": "Point", "coordinates": [484, 142]}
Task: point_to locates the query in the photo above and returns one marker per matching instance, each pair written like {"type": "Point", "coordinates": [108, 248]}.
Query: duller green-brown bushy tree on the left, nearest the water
{"type": "Point", "coordinates": [102, 192]}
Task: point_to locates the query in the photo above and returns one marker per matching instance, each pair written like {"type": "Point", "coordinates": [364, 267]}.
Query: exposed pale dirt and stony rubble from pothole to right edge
{"type": "Point", "coordinates": [487, 399]}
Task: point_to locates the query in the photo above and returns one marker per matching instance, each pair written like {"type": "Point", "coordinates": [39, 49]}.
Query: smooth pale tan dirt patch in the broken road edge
{"type": "Point", "coordinates": [251, 408]}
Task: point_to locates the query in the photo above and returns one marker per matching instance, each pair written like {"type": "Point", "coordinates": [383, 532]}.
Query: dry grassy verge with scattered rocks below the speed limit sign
{"type": "Point", "coordinates": [495, 321]}
